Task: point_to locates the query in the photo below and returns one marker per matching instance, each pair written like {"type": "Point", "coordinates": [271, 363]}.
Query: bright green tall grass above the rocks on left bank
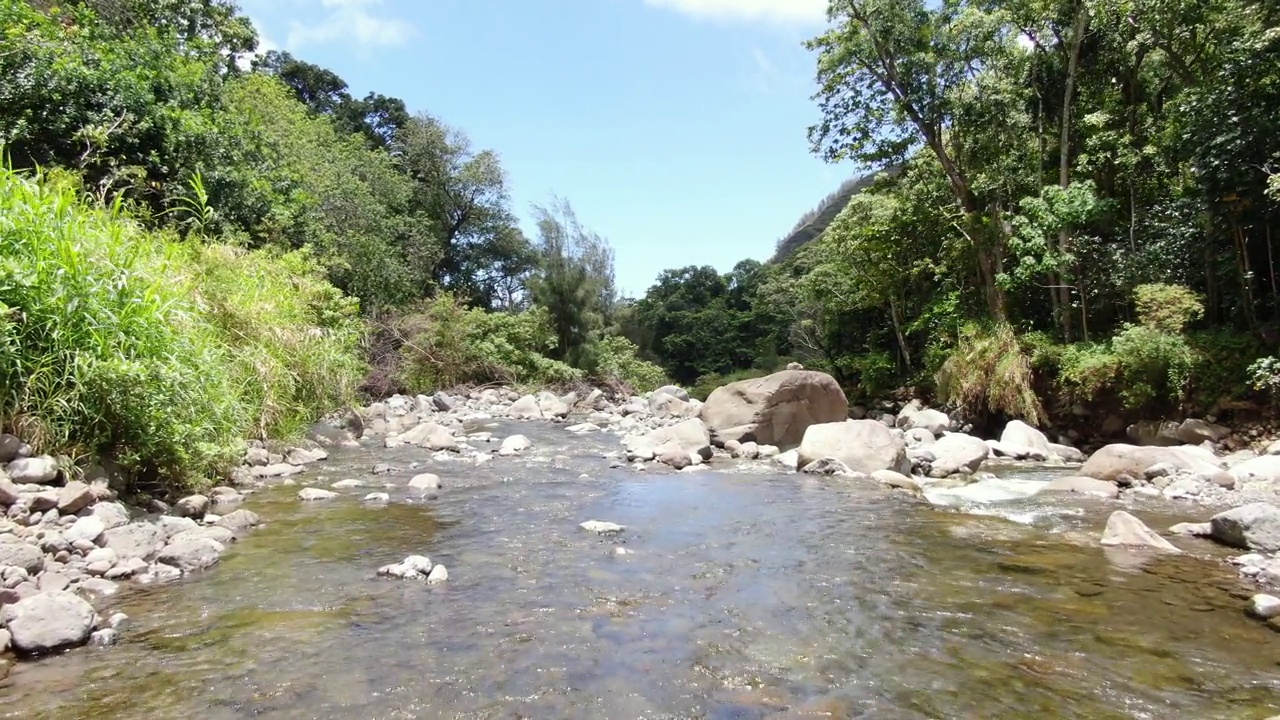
{"type": "Point", "coordinates": [159, 354]}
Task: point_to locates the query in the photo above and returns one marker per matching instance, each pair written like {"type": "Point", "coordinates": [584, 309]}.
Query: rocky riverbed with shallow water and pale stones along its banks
{"type": "Point", "coordinates": [648, 558]}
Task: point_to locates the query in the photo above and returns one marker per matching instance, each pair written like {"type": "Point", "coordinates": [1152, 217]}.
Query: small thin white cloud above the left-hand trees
{"type": "Point", "coordinates": [358, 22]}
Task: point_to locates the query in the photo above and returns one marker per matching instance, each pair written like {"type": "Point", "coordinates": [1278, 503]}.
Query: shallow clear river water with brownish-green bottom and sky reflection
{"type": "Point", "coordinates": [748, 595]}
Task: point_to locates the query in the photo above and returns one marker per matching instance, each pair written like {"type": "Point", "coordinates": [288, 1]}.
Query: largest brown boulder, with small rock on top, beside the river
{"type": "Point", "coordinates": [774, 411]}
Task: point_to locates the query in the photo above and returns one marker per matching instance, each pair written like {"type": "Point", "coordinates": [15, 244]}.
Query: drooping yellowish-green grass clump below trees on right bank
{"type": "Point", "coordinates": [989, 371]}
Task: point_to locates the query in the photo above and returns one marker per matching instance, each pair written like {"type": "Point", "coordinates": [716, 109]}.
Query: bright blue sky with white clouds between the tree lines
{"type": "Point", "coordinates": [676, 129]}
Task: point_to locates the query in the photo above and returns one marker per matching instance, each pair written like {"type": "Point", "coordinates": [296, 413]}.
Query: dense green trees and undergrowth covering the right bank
{"type": "Point", "coordinates": [1084, 213]}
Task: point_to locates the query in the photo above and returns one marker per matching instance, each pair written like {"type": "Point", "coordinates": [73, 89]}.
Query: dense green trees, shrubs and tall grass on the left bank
{"type": "Point", "coordinates": [200, 245]}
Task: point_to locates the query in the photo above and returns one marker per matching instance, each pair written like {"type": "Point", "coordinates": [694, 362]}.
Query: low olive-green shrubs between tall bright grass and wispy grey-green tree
{"type": "Point", "coordinates": [445, 345]}
